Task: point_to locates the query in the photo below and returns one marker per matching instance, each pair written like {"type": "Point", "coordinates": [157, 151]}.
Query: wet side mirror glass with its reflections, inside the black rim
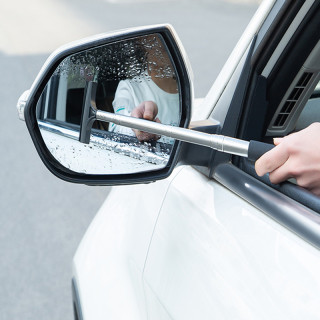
{"type": "Point", "coordinates": [133, 77]}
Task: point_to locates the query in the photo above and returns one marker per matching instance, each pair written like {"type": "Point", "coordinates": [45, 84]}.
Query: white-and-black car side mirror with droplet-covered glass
{"type": "Point", "coordinates": [110, 74]}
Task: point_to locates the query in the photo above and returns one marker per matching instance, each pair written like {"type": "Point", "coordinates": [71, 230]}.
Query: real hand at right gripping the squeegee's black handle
{"type": "Point", "coordinates": [295, 156]}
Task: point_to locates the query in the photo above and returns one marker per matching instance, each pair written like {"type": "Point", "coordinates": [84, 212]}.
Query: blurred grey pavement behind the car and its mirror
{"type": "Point", "coordinates": [43, 219]}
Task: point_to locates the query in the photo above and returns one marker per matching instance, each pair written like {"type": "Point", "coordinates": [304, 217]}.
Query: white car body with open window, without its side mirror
{"type": "Point", "coordinates": [213, 240]}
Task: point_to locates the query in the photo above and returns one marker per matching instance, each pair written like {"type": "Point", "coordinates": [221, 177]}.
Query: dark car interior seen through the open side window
{"type": "Point", "coordinates": [284, 93]}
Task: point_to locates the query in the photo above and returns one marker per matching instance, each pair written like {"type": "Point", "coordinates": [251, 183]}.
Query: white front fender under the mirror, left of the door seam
{"type": "Point", "coordinates": [109, 262]}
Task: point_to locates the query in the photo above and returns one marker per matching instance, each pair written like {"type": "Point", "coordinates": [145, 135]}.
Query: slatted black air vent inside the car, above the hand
{"type": "Point", "coordinates": [292, 100]}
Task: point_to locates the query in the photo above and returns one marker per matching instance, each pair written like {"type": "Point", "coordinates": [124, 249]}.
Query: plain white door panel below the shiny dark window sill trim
{"type": "Point", "coordinates": [226, 258]}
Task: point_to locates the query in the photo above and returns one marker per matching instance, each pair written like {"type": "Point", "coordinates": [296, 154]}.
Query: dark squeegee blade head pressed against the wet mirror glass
{"type": "Point", "coordinates": [89, 110]}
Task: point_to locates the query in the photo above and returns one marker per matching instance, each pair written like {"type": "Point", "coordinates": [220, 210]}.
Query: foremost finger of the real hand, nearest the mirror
{"type": "Point", "coordinates": [271, 160]}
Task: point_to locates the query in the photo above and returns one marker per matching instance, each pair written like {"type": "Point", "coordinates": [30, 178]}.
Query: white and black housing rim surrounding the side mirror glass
{"type": "Point", "coordinates": [28, 104]}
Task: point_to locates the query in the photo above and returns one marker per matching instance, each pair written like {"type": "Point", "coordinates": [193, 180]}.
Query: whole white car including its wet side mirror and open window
{"type": "Point", "coordinates": [210, 239]}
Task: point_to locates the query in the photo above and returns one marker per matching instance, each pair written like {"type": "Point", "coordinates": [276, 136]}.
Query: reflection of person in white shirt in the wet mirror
{"type": "Point", "coordinates": [152, 94]}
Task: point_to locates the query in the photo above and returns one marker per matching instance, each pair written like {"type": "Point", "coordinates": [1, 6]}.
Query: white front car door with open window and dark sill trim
{"type": "Point", "coordinates": [228, 244]}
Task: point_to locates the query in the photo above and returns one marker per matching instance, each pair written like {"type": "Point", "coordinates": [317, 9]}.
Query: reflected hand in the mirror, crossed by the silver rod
{"type": "Point", "coordinates": [147, 110]}
